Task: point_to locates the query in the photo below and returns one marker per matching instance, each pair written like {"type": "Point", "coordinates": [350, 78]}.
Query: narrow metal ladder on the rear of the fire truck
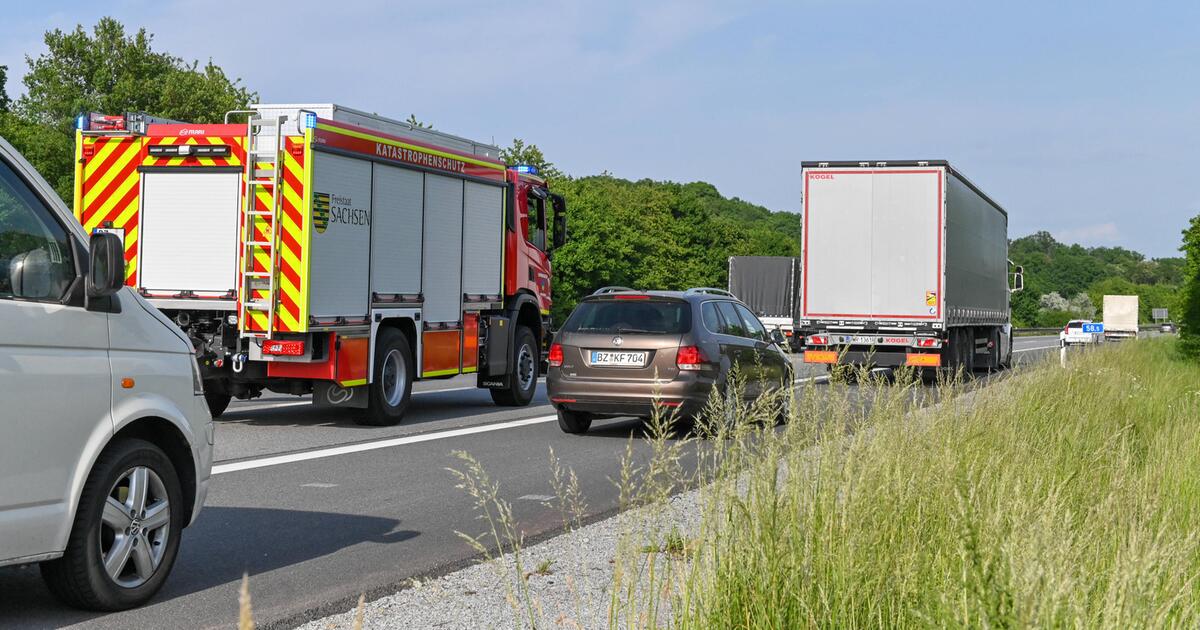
{"type": "Point", "coordinates": [259, 289]}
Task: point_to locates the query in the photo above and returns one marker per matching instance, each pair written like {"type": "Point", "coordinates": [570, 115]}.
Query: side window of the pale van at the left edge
{"type": "Point", "coordinates": [37, 262]}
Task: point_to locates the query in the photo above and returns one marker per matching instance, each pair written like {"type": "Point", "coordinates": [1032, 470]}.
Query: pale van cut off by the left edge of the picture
{"type": "Point", "coordinates": [106, 442]}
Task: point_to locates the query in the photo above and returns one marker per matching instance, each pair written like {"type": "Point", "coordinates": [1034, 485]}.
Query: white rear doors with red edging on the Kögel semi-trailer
{"type": "Point", "coordinates": [873, 244]}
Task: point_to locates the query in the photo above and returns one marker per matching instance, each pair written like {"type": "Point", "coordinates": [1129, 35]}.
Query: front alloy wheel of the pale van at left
{"type": "Point", "coordinates": [125, 537]}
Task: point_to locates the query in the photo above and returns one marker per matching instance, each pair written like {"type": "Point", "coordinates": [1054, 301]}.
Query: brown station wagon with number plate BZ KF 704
{"type": "Point", "coordinates": [622, 350]}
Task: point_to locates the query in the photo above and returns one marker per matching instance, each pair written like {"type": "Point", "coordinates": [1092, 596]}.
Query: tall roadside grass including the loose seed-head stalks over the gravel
{"type": "Point", "coordinates": [1059, 497]}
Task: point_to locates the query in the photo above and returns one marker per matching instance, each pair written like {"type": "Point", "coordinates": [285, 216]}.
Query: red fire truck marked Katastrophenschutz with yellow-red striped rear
{"type": "Point", "coordinates": [315, 249]}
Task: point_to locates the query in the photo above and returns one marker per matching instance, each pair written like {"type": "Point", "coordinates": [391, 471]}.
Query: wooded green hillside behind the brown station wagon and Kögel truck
{"type": "Point", "coordinates": [667, 236]}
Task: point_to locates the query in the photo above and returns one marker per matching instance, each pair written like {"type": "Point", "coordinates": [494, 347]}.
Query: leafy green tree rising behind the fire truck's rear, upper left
{"type": "Point", "coordinates": [112, 71]}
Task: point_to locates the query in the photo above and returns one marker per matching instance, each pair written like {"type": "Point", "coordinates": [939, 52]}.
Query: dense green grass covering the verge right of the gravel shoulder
{"type": "Point", "coordinates": [1063, 497]}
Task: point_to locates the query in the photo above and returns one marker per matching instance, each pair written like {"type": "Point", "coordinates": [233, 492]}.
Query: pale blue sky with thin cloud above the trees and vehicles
{"type": "Point", "coordinates": [1081, 118]}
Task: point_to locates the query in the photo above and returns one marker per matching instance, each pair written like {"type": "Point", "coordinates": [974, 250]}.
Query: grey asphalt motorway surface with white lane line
{"type": "Point", "coordinates": [317, 509]}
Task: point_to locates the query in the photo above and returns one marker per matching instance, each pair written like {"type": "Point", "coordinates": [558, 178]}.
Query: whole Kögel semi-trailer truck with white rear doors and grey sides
{"type": "Point", "coordinates": [904, 265]}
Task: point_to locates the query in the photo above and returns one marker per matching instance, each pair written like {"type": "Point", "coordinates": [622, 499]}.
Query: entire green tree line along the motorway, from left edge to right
{"type": "Point", "coordinates": [644, 235]}
